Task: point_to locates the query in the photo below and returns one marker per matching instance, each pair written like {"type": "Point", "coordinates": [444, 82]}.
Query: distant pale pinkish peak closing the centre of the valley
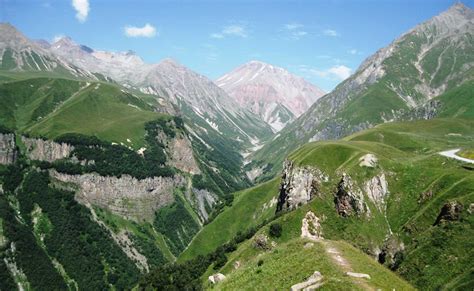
{"type": "Point", "coordinates": [272, 93]}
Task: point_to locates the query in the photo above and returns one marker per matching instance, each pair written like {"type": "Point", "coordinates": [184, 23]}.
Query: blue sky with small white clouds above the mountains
{"type": "Point", "coordinates": [322, 41]}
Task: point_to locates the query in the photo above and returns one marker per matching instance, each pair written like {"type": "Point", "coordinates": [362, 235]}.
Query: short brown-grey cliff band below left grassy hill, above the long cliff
{"type": "Point", "coordinates": [46, 150]}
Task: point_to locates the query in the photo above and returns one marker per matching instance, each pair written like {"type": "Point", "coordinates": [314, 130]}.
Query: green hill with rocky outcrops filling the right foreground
{"type": "Point", "coordinates": [385, 190]}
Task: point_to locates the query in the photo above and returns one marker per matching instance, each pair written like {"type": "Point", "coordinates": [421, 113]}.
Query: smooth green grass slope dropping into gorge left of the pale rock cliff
{"type": "Point", "coordinates": [246, 211]}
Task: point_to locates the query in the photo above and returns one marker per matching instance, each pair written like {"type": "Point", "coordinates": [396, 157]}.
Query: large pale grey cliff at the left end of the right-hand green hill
{"type": "Point", "coordinates": [298, 186]}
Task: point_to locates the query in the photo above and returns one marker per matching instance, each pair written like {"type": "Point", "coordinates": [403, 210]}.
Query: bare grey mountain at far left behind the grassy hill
{"type": "Point", "coordinates": [19, 54]}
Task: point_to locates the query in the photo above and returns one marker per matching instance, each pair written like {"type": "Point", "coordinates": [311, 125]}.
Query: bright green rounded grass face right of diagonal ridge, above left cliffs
{"type": "Point", "coordinates": [105, 112]}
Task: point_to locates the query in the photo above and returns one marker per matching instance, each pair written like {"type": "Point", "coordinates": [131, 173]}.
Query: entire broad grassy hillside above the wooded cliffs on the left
{"type": "Point", "coordinates": [51, 107]}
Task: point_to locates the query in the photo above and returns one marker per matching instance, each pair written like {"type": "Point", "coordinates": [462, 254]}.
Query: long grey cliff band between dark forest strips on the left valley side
{"type": "Point", "coordinates": [126, 196]}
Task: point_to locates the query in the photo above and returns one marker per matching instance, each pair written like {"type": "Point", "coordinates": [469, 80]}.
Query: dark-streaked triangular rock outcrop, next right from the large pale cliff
{"type": "Point", "coordinates": [349, 199]}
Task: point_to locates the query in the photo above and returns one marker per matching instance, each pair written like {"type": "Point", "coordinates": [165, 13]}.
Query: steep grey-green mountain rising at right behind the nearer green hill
{"type": "Point", "coordinates": [400, 81]}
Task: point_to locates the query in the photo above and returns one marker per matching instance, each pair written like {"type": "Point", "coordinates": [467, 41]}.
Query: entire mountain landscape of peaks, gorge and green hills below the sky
{"type": "Point", "coordinates": [118, 174]}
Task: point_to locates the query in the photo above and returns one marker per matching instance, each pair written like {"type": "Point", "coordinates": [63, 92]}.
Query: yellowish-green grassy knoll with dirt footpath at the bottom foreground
{"type": "Point", "coordinates": [290, 263]}
